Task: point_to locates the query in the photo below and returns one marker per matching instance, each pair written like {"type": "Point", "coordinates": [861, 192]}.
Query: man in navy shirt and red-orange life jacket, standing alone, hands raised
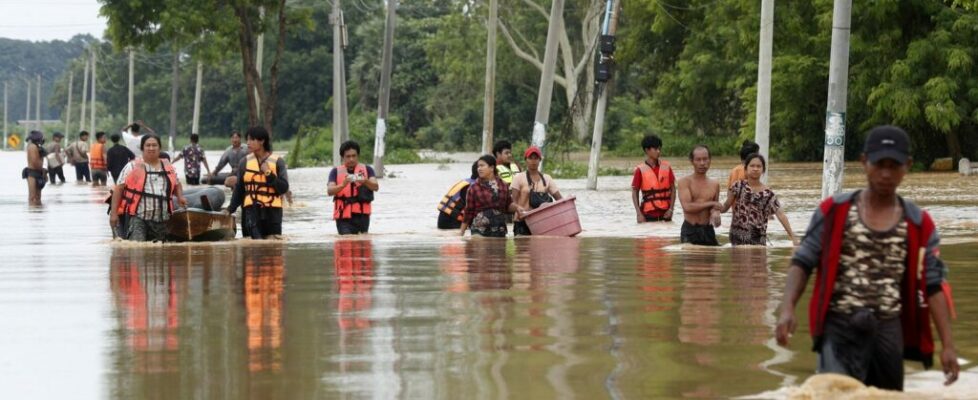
{"type": "Point", "coordinates": [352, 186]}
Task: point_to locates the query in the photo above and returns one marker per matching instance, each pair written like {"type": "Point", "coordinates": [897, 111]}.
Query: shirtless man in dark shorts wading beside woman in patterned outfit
{"type": "Point", "coordinates": [700, 197]}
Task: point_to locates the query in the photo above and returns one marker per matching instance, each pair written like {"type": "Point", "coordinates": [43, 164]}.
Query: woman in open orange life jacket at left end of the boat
{"type": "Point", "coordinates": [145, 194]}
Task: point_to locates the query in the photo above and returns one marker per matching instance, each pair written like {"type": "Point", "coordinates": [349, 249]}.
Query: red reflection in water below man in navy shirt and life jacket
{"type": "Point", "coordinates": [353, 263]}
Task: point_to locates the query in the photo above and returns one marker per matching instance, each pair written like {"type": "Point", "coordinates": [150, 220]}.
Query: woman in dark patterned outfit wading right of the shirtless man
{"type": "Point", "coordinates": [753, 203]}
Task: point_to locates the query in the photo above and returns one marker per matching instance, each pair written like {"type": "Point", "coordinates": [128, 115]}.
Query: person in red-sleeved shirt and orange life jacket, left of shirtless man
{"type": "Point", "coordinates": [655, 182]}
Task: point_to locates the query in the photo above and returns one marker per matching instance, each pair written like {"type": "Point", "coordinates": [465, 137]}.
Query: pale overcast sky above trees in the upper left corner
{"type": "Point", "coordinates": [49, 19]}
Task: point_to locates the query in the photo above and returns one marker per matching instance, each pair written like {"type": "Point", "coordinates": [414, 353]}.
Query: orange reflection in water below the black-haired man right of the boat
{"type": "Point", "coordinates": [264, 275]}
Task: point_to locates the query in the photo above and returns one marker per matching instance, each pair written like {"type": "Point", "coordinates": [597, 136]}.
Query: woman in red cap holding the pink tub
{"type": "Point", "coordinates": [531, 189]}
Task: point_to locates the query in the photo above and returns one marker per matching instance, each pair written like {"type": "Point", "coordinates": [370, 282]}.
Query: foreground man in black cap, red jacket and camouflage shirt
{"type": "Point", "coordinates": [878, 276]}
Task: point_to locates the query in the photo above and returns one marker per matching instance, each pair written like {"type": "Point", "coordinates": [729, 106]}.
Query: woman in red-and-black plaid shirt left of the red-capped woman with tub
{"type": "Point", "coordinates": [487, 202]}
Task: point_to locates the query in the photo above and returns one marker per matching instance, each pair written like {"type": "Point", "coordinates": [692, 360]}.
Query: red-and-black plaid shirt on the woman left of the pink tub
{"type": "Point", "coordinates": [486, 206]}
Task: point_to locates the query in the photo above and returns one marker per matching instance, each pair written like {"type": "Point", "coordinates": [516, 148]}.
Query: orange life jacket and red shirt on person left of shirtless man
{"type": "Point", "coordinates": [656, 183]}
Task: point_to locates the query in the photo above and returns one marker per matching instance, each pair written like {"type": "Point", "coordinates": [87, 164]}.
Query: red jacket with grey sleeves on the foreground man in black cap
{"type": "Point", "coordinates": [923, 275]}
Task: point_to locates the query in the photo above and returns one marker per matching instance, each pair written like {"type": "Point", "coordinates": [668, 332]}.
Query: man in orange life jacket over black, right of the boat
{"type": "Point", "coordinates": [262, 182]}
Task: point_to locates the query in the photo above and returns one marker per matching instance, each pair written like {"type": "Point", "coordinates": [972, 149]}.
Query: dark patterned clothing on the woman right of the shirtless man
{"type": "Point", "coordinates": [751, 211]}
